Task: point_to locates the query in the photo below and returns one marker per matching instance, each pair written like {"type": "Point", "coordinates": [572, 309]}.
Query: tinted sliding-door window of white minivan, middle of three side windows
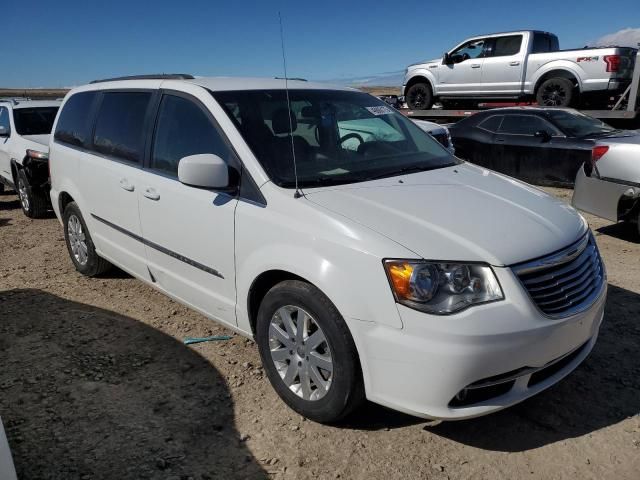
{"type": "Point", "coordinates": [120, 125]}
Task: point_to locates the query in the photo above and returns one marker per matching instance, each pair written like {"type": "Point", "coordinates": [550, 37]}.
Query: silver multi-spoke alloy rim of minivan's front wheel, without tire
{"type": "Point", "coordinates": [300, 353]}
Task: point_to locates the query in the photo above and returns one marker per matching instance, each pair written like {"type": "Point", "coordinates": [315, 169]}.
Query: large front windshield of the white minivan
{"type": "Point", "coordinates": [338, 136]}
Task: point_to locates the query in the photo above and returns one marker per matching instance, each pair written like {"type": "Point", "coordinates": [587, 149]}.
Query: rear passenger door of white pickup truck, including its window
{"type": "Point", "coordinates": [503, 66]}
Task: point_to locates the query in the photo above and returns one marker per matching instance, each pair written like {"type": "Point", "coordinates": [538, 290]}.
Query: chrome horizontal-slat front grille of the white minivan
{"type": "Point", "coordinates": [566, 282]}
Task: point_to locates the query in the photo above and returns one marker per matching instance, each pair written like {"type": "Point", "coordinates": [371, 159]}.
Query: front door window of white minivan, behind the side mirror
{"type": "Point", "coordinates": [183, 129]}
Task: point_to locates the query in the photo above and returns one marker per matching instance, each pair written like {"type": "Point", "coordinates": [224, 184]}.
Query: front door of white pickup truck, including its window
{"type": "Point", "coordinates": [463, 75]}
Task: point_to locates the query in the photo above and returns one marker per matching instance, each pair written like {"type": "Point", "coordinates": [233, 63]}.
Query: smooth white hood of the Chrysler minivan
{"type": "Point", "coordinates": [462, 213]}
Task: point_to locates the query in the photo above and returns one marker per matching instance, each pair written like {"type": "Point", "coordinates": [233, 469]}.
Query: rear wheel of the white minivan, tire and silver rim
{"type": "Point", "coordinates": [79, 244]}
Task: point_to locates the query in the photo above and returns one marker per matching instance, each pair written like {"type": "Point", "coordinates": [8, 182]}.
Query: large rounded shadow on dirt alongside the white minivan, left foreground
{"type": "Point", "coordinates": [88, 393]}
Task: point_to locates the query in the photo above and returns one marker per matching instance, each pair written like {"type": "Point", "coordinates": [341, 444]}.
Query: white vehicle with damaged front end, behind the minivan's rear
{"type": "Point", "coordinates": [25, 126]}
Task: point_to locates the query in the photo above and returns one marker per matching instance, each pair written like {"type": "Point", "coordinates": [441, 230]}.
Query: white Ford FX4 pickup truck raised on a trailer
{"type": "Point", "coordinates": [516, 65]}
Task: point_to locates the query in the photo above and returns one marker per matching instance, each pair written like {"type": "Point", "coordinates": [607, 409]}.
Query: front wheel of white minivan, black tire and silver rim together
{"type": "Point", "coordinates": [308, 352]}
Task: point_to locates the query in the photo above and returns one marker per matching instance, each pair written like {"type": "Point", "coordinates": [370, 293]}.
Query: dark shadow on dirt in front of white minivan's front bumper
{"type": "Point", "coordinates": [601, 392]}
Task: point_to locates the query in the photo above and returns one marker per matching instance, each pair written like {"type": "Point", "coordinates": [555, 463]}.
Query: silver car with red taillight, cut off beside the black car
{"type": "Point", "coordinates": [609, 185]}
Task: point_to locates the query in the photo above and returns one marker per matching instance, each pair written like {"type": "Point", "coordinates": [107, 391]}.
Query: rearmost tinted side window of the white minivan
{"type": "Point", "coordinates": [73, 126]}
